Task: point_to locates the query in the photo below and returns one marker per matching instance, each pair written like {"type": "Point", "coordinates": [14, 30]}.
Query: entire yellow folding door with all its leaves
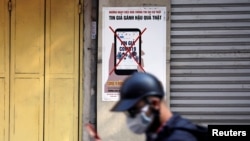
{"type": "Point", "coordinates": [39, 70]}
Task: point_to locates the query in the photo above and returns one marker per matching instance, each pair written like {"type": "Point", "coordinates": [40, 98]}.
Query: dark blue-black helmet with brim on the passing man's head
{"type": "Point", "coordinates": [137, 87]}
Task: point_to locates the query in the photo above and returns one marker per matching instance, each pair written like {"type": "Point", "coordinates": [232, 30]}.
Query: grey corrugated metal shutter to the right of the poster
{"type": "Point", "coordinates": [210, 60]}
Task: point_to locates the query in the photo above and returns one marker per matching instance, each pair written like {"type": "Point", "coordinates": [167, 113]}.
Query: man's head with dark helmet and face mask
{"type": "Point", "coordinates": [140, 99]}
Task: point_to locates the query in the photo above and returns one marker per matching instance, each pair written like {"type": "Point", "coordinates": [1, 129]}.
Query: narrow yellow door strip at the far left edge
{"type": "Point", "coordinates": [4, 71]}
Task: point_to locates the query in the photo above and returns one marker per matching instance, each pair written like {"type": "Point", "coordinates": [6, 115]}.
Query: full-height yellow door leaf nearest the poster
{"type": "Point", "coordinates": [62, 70]}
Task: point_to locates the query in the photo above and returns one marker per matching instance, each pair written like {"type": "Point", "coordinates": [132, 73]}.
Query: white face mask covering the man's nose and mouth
{"type": "Point", "coordinates": [140, 122]}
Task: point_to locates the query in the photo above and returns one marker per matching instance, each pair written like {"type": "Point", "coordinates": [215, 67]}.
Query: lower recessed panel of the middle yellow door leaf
{"type": "Point", "coordinates": [27, 110]}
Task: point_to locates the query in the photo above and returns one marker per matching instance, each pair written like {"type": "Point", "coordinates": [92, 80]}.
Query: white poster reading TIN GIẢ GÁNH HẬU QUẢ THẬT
{"type": "Point", "coordinates": [133, 40]}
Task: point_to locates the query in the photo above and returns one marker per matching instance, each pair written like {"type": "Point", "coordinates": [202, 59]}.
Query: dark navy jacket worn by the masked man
{"type": "Point", "coordinates": [176, 129]}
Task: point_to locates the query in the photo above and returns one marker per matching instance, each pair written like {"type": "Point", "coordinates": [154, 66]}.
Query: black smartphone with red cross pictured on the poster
{"type": "Point", "coordinates": [127, 50]}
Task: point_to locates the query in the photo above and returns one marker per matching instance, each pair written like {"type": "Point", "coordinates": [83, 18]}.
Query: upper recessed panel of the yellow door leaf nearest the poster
{"type": "Point", "coordinates": [63, 24]}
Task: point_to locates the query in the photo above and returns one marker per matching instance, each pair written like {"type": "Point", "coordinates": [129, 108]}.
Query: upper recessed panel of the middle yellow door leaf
{"type": "Point", "coordinates": [28, 36]}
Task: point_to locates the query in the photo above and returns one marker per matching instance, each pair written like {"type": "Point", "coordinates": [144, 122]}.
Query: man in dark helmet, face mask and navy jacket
{"type": "Point", "coordinates": [142, 100]}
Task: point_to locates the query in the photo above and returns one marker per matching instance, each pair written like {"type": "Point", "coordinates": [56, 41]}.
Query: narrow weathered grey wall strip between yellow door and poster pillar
{"type": "Point", "coordinates": [90, 8]}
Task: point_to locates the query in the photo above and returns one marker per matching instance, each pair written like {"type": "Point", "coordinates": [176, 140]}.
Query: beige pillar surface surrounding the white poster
{"type": "Point", "coordinates": [111, 126]}
